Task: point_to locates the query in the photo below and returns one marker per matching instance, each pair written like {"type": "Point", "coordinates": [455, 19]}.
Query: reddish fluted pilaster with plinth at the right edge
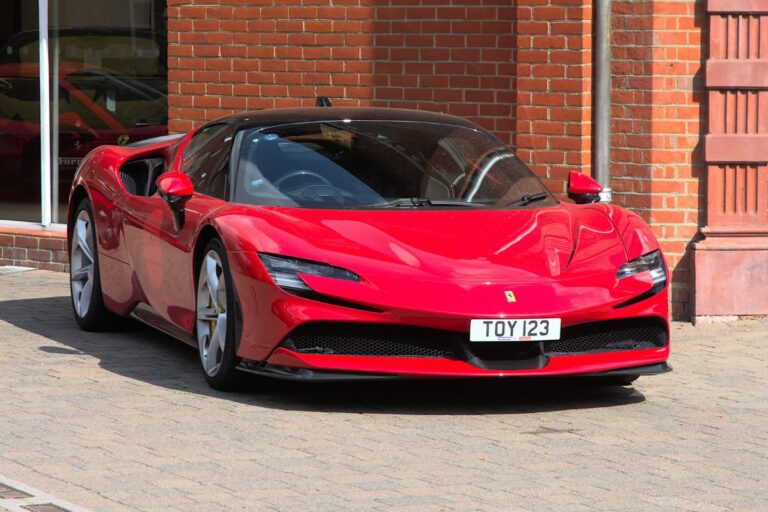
{"type": "Point", "coordinates": [731, 263]}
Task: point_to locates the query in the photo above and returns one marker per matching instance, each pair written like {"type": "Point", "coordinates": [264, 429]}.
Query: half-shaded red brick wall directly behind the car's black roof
{"type": "Point", "coordinates": [230, 55]}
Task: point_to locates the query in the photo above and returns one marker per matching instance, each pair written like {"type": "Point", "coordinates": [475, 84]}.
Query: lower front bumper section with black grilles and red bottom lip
{"type": "Point", "coordinates": [381, 349]}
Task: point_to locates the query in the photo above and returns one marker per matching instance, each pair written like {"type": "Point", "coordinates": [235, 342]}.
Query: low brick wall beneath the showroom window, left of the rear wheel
{"type": "Point", "coordinates": [46, 250]}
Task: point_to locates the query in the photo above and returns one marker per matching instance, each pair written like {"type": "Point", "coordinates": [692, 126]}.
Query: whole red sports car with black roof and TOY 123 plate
{"type": "Point", "coordinates": [335, 243]}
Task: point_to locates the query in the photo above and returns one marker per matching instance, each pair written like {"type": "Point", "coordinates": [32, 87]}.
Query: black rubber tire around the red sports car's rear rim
{"type": "Point", "coordinates": [95, 316]}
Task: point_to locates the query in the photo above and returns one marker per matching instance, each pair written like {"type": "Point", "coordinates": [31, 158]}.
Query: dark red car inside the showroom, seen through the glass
{"type": "Point", "coordinates": [95, 106]}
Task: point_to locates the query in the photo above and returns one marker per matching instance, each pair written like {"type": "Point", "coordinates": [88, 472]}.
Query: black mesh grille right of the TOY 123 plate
{"type": "Point", "coordinates": [614, 336]}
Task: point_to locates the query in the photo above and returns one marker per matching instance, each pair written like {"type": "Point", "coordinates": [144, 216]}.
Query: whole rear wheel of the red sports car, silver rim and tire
{"type": "Point", "coordinates": [85, 282]}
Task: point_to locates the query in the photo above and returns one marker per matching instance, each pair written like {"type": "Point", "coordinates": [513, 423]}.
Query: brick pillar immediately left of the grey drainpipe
{"type": "Point", "coordinates": [554, 88]}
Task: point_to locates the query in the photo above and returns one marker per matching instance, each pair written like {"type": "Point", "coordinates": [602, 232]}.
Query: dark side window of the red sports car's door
{"type": "Point", "coordinates": [206, 160]}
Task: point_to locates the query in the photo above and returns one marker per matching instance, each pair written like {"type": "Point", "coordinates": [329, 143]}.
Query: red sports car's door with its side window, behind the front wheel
{"type": "Point", "coordinates": [161, 256]}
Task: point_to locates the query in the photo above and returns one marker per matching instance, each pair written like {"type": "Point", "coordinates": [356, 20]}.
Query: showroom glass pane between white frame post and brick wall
{"type": "Point", "coordinates": [109, 79]}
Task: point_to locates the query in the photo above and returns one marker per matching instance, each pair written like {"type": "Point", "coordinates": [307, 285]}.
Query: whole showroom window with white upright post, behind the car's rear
{"type": "Point", "coordinates": [108, 83]}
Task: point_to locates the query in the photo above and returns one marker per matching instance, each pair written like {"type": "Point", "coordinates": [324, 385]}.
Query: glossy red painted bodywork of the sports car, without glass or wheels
{"type": "Point", "coordinates": [428, 268]}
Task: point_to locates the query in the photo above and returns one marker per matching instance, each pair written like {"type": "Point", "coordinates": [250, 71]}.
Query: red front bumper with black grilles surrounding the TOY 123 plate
{"type": "Point", "coordinates": [270, 341]}
